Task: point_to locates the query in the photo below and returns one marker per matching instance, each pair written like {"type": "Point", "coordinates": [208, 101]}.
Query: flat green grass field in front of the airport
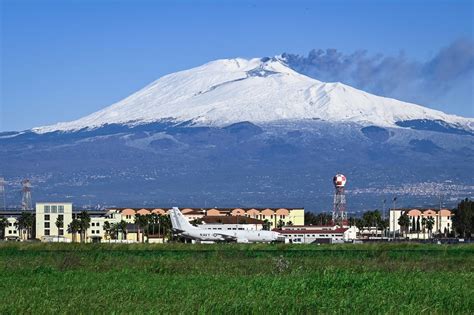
{"type": "Point", "coordinates": [238, 278]}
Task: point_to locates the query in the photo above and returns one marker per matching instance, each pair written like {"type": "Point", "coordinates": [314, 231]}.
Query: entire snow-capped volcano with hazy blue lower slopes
{"type": "Point", "coordinates": [239, 132]}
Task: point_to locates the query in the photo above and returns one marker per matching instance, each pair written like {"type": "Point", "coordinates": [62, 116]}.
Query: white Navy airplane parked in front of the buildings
{"type": "Point", "coordinates": [182, 227]}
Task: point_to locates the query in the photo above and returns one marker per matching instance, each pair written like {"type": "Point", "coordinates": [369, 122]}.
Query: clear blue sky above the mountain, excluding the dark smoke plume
{"type": "Point", "coordinates": [61, 60]}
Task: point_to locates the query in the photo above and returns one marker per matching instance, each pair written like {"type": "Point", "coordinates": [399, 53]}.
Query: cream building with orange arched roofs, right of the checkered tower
{"type": "Point", "coordinates": [418, 227]}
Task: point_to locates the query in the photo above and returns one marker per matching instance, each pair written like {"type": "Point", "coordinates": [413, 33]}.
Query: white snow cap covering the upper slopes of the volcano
{"type": "Point", "coordinates": [256, 90]}
